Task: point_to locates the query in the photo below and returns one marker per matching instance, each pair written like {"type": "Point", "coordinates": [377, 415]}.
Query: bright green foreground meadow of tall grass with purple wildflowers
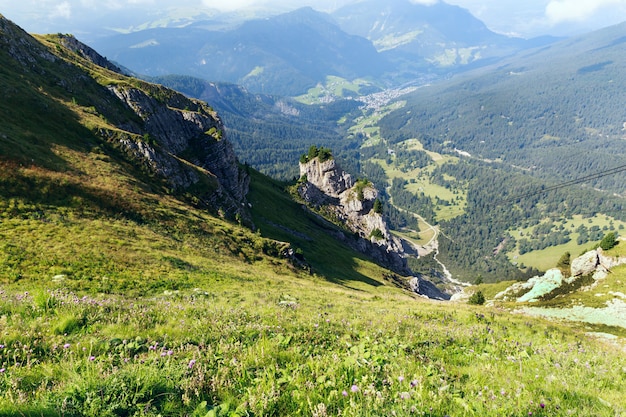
{"type": "Point", "coordinates": [329, 351]}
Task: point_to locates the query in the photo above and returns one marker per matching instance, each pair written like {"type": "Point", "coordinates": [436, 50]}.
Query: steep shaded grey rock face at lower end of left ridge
{"type": "Point", "coordinates": [181, 140]}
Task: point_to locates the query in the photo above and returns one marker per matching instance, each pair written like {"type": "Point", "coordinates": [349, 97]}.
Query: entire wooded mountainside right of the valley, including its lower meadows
{"type": "Point", "coordinates": [540, 139]}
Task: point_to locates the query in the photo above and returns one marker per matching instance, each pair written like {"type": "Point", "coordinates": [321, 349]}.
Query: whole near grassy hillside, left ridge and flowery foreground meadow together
{"type": "Point", "coordinates": [127, 290]}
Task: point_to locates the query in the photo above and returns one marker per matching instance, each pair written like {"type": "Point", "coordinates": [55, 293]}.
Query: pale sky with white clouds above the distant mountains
{"type": "Point", "coordinates": [526, 18]}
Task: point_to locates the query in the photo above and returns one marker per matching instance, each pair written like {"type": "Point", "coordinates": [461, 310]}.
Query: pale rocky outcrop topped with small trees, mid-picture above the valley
{"type": "Point", "coordinates": [328, 188]}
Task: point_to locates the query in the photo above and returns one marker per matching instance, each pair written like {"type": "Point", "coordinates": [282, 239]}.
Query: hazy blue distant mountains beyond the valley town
{"type": "Point", "coordinates": [390, 43]}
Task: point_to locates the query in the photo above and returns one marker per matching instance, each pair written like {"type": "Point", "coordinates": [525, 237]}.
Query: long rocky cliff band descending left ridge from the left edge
{"type": "Point", "coordinates": [174, 138]}
